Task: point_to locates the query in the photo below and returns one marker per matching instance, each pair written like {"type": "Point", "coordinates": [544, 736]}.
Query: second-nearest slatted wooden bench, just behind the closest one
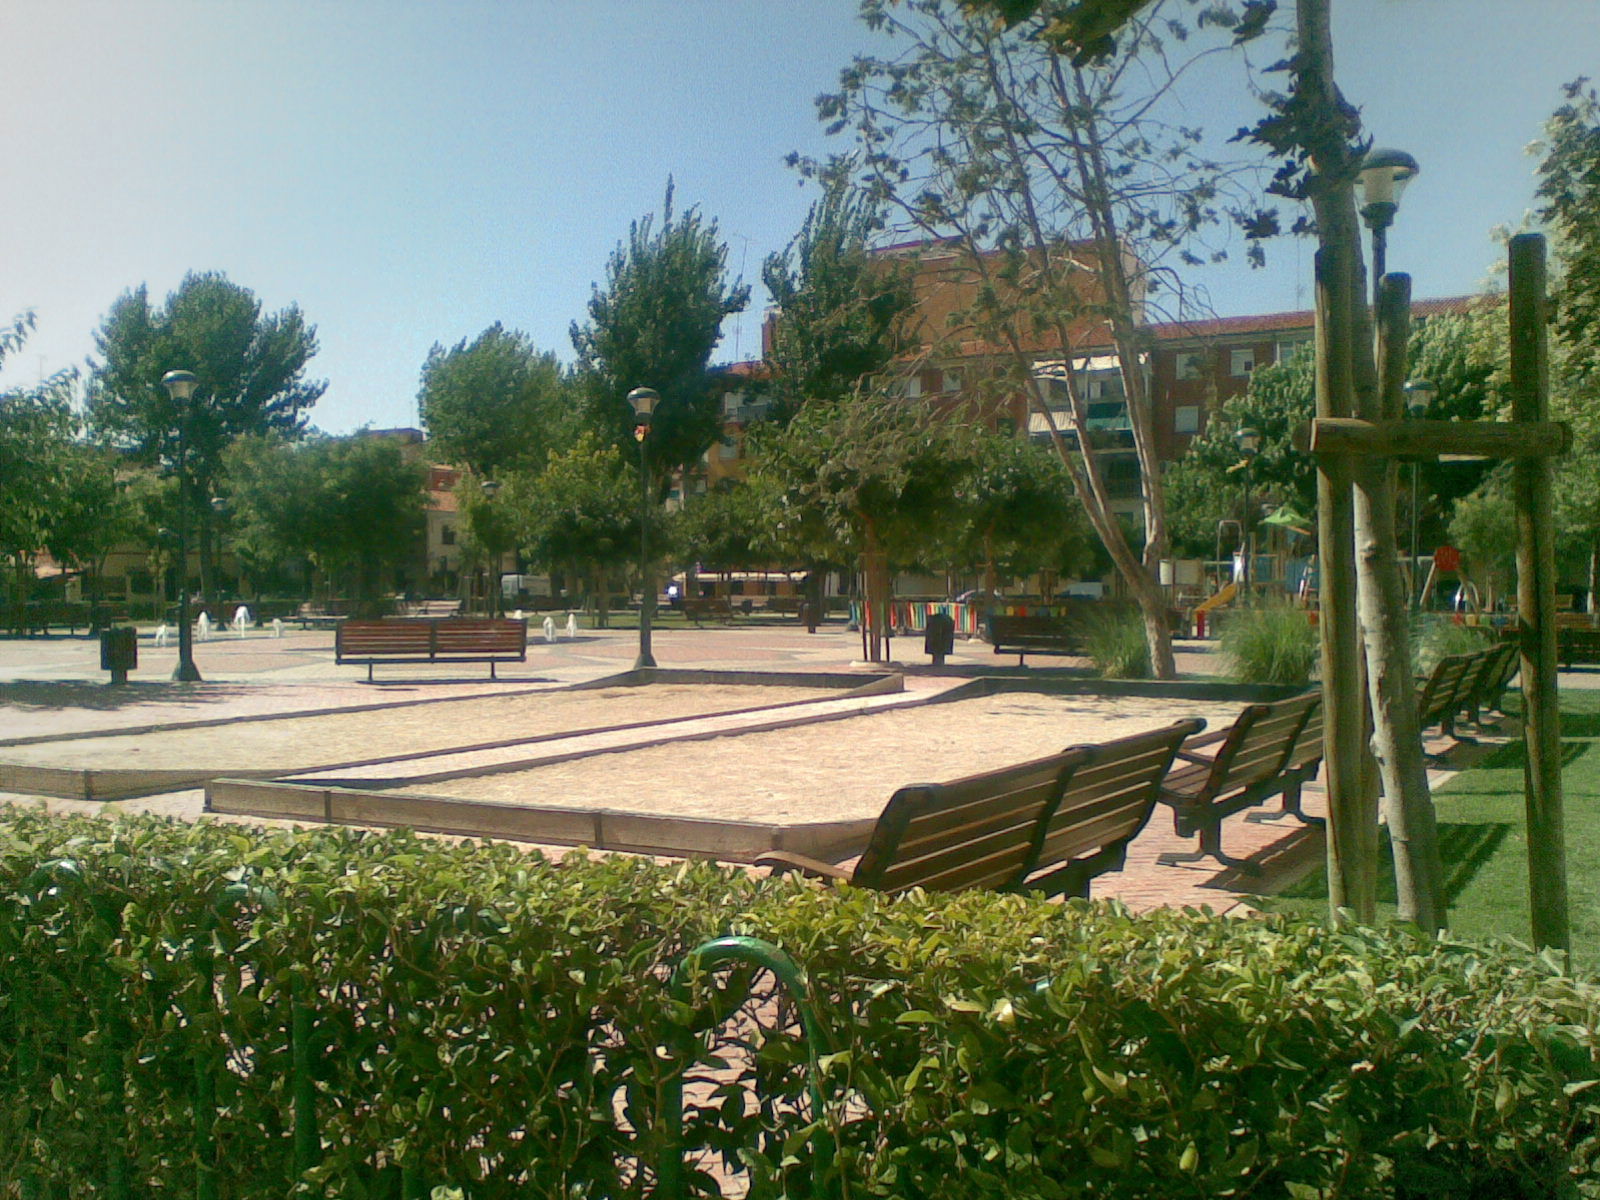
{"type": "Point", "coordinates": [1250, 766]}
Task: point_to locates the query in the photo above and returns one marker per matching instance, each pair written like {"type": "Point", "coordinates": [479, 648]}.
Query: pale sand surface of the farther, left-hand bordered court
{"type": "Point", "coordinates": [294, 743]}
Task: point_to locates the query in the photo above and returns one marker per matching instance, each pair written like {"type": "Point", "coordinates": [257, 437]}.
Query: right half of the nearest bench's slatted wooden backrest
{"type": "Point", "coordinates": [1111, 796]}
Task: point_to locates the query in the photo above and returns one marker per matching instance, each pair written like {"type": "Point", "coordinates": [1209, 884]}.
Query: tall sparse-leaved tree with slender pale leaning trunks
{"type": "Point", "coordinates": [1068, 198]}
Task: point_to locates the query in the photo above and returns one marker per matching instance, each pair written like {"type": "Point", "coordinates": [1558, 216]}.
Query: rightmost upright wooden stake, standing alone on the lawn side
{"type": "Point", "coordinates": [1537, 602]}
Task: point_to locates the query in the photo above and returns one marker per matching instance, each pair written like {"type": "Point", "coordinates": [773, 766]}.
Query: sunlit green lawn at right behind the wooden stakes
{"type": "Point", "coordinates": [1482, 833]}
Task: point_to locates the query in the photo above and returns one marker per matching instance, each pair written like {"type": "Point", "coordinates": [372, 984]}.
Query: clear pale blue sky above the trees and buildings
{"type": "Point", "coordinates": [410, 172]}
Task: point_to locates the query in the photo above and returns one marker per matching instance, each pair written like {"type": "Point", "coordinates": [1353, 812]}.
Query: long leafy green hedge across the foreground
{"type": "Point", "coordinates": [209, 1010]}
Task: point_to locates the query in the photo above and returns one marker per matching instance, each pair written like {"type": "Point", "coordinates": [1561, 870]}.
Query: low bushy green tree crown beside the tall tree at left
{"type": "Point", "coordinates": [353, 506]}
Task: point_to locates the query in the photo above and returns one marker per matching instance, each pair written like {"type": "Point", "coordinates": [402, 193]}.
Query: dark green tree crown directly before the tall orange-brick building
{"type": "Point", "coordinates": [842, 314]}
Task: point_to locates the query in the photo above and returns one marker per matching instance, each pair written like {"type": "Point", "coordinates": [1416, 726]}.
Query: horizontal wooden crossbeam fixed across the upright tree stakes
{"type": "Point", "coordinates": [1335, 436]}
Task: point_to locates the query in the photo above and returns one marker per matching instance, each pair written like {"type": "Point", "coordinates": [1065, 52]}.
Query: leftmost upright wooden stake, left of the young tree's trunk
{"type": "Point", "coordinates": [1353, 836]}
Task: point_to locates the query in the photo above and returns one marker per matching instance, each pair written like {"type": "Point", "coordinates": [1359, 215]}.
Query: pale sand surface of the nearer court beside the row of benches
{"type": "Point", "coordinates": [831, 770]}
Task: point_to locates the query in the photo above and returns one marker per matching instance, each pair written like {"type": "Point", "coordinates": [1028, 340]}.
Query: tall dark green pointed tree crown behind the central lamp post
{"type": "Point", "coordinates": [655, 324]}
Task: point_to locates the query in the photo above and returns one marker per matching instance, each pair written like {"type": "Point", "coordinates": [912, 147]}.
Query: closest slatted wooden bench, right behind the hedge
{"type": "Point", "coordinates": [1050, 825]}
